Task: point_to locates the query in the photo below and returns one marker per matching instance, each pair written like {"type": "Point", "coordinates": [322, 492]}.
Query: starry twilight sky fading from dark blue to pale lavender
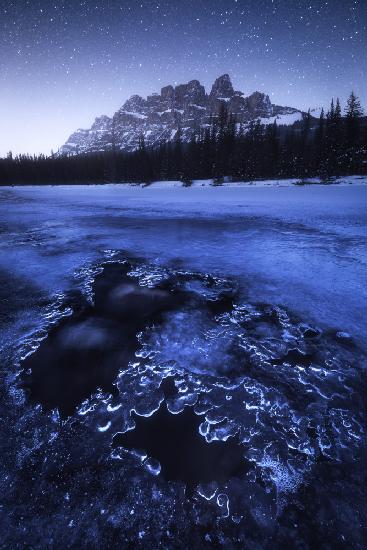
{"type": "Point", "coordinates": [62, 63]}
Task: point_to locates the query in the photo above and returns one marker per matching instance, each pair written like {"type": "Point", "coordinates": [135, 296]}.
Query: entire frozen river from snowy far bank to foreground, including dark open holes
{"type": "Point", "coordinates": [275, 368]}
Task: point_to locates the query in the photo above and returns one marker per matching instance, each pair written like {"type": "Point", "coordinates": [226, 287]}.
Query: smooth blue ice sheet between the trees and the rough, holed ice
{"type": "Point", "coordinates": [302, 247]}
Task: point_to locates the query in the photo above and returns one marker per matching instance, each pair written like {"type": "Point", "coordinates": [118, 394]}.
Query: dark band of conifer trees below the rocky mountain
{"type": "Point", "coordinates": [335, 144]}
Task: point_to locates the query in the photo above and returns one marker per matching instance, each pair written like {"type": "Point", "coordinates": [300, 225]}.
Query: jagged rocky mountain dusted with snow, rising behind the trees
{"type": "Point", "coordinates": [159, 116]}
